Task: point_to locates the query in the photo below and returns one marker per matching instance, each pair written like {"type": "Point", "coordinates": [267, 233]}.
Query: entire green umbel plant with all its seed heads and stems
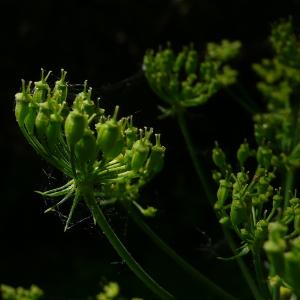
{"type": "Point", "coordinates": [107, 159]}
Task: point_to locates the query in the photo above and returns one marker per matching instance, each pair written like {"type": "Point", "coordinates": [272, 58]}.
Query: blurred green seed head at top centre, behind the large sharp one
{"type": "Point", "coordinates": [186, 80]}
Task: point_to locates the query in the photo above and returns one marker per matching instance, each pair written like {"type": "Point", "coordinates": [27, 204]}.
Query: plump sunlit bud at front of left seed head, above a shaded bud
{"type": "Point", "coordinates": [75, 125]}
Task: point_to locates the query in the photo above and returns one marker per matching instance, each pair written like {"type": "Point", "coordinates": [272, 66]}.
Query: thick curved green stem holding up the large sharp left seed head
{"type": "Point", "coordinates": [87, 192]}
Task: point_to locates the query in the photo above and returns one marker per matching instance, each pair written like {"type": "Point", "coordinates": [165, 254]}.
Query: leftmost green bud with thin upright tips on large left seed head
{"type": "Point", "coordinates": [22, 103]}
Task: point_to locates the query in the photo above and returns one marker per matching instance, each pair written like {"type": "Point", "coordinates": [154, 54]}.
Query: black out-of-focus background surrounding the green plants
{"type": "Point", "coordinates": [104, 41]}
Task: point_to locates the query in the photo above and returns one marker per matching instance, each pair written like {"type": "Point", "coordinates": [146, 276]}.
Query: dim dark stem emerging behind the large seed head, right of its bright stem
{"type": "Point", "coordinates": [218, 291]}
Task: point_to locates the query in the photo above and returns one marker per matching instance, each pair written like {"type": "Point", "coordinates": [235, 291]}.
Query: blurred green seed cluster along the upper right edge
{"type": "Point", "coordinates": [280, 87]}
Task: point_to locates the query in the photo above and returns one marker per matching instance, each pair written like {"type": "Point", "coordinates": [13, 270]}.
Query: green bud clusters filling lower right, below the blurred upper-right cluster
{"type": "Point", "coordinates": [255, 210]}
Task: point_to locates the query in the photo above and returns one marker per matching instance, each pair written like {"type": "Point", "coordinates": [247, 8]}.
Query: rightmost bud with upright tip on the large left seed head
{"type": "Point", "coordinates": [156, 158]}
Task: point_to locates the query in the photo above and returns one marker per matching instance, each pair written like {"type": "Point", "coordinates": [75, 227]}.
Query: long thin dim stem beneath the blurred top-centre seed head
{"type": "Point", "coordinates": [211, 198]}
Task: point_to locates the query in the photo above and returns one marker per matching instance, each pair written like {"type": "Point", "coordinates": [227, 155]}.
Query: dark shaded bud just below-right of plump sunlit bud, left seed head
{"type": "Point", "coordinates": [85, 148]}
